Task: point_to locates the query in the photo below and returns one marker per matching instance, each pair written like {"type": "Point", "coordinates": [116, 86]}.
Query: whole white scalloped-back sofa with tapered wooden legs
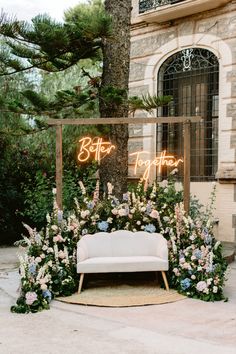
{"type": "Point", "coordinates": [122, 251]}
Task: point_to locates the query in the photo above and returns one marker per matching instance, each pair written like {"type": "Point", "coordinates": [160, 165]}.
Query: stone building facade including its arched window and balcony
{"type": "Point", "coordinates": [165, 35]}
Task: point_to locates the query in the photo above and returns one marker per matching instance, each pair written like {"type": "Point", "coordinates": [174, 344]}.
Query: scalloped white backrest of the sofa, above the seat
{"type": "Point", "coordinates": [122, 243]}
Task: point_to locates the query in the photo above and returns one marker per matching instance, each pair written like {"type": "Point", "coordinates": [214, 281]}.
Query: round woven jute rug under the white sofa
{"type": "Point", "coordinates": [123, 295]}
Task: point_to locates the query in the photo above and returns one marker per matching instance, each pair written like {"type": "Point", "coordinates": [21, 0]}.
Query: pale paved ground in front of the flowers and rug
{"type": "Point", "coordinates": [184, 327]}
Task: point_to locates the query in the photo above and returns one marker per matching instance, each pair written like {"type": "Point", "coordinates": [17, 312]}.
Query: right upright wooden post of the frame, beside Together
{"type": "Point", "coordinates": [186, 165]}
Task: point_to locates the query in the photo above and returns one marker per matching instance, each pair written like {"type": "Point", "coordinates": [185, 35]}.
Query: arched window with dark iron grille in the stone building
{"type": "Point", "coordinates": [191, 77]}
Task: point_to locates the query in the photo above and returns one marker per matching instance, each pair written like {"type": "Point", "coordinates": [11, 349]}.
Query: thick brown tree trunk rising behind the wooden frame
{"type": "Point", "coordinates": [116, 57]}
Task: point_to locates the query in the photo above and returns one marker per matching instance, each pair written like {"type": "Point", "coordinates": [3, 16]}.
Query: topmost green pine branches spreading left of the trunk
{"type": "Point", "coordinates": [50, 45]}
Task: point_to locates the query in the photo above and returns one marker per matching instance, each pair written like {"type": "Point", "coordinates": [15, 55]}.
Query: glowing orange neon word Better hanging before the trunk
{"type": "Point", "coordinates": [96, 147]}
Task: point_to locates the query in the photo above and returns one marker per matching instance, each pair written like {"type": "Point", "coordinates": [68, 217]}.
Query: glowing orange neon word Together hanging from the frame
{"type": "Point", "coordinates": [159, 162]}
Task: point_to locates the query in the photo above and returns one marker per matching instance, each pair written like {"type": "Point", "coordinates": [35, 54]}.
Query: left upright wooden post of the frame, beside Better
{"type": "Point", "coordinates": [59, 165]}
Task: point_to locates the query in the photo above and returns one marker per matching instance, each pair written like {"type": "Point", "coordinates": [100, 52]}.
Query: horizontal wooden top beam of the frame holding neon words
{"type": "Point", "coordinates": [141, 120]}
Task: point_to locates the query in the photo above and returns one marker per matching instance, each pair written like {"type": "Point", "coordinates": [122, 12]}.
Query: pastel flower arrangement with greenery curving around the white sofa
{"type": "Point", "coordinates": [197, 268]}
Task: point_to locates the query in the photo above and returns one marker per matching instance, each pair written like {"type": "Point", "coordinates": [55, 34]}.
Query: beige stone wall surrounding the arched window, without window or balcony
{"type": "Point", "coordinates": [152, 44]}
